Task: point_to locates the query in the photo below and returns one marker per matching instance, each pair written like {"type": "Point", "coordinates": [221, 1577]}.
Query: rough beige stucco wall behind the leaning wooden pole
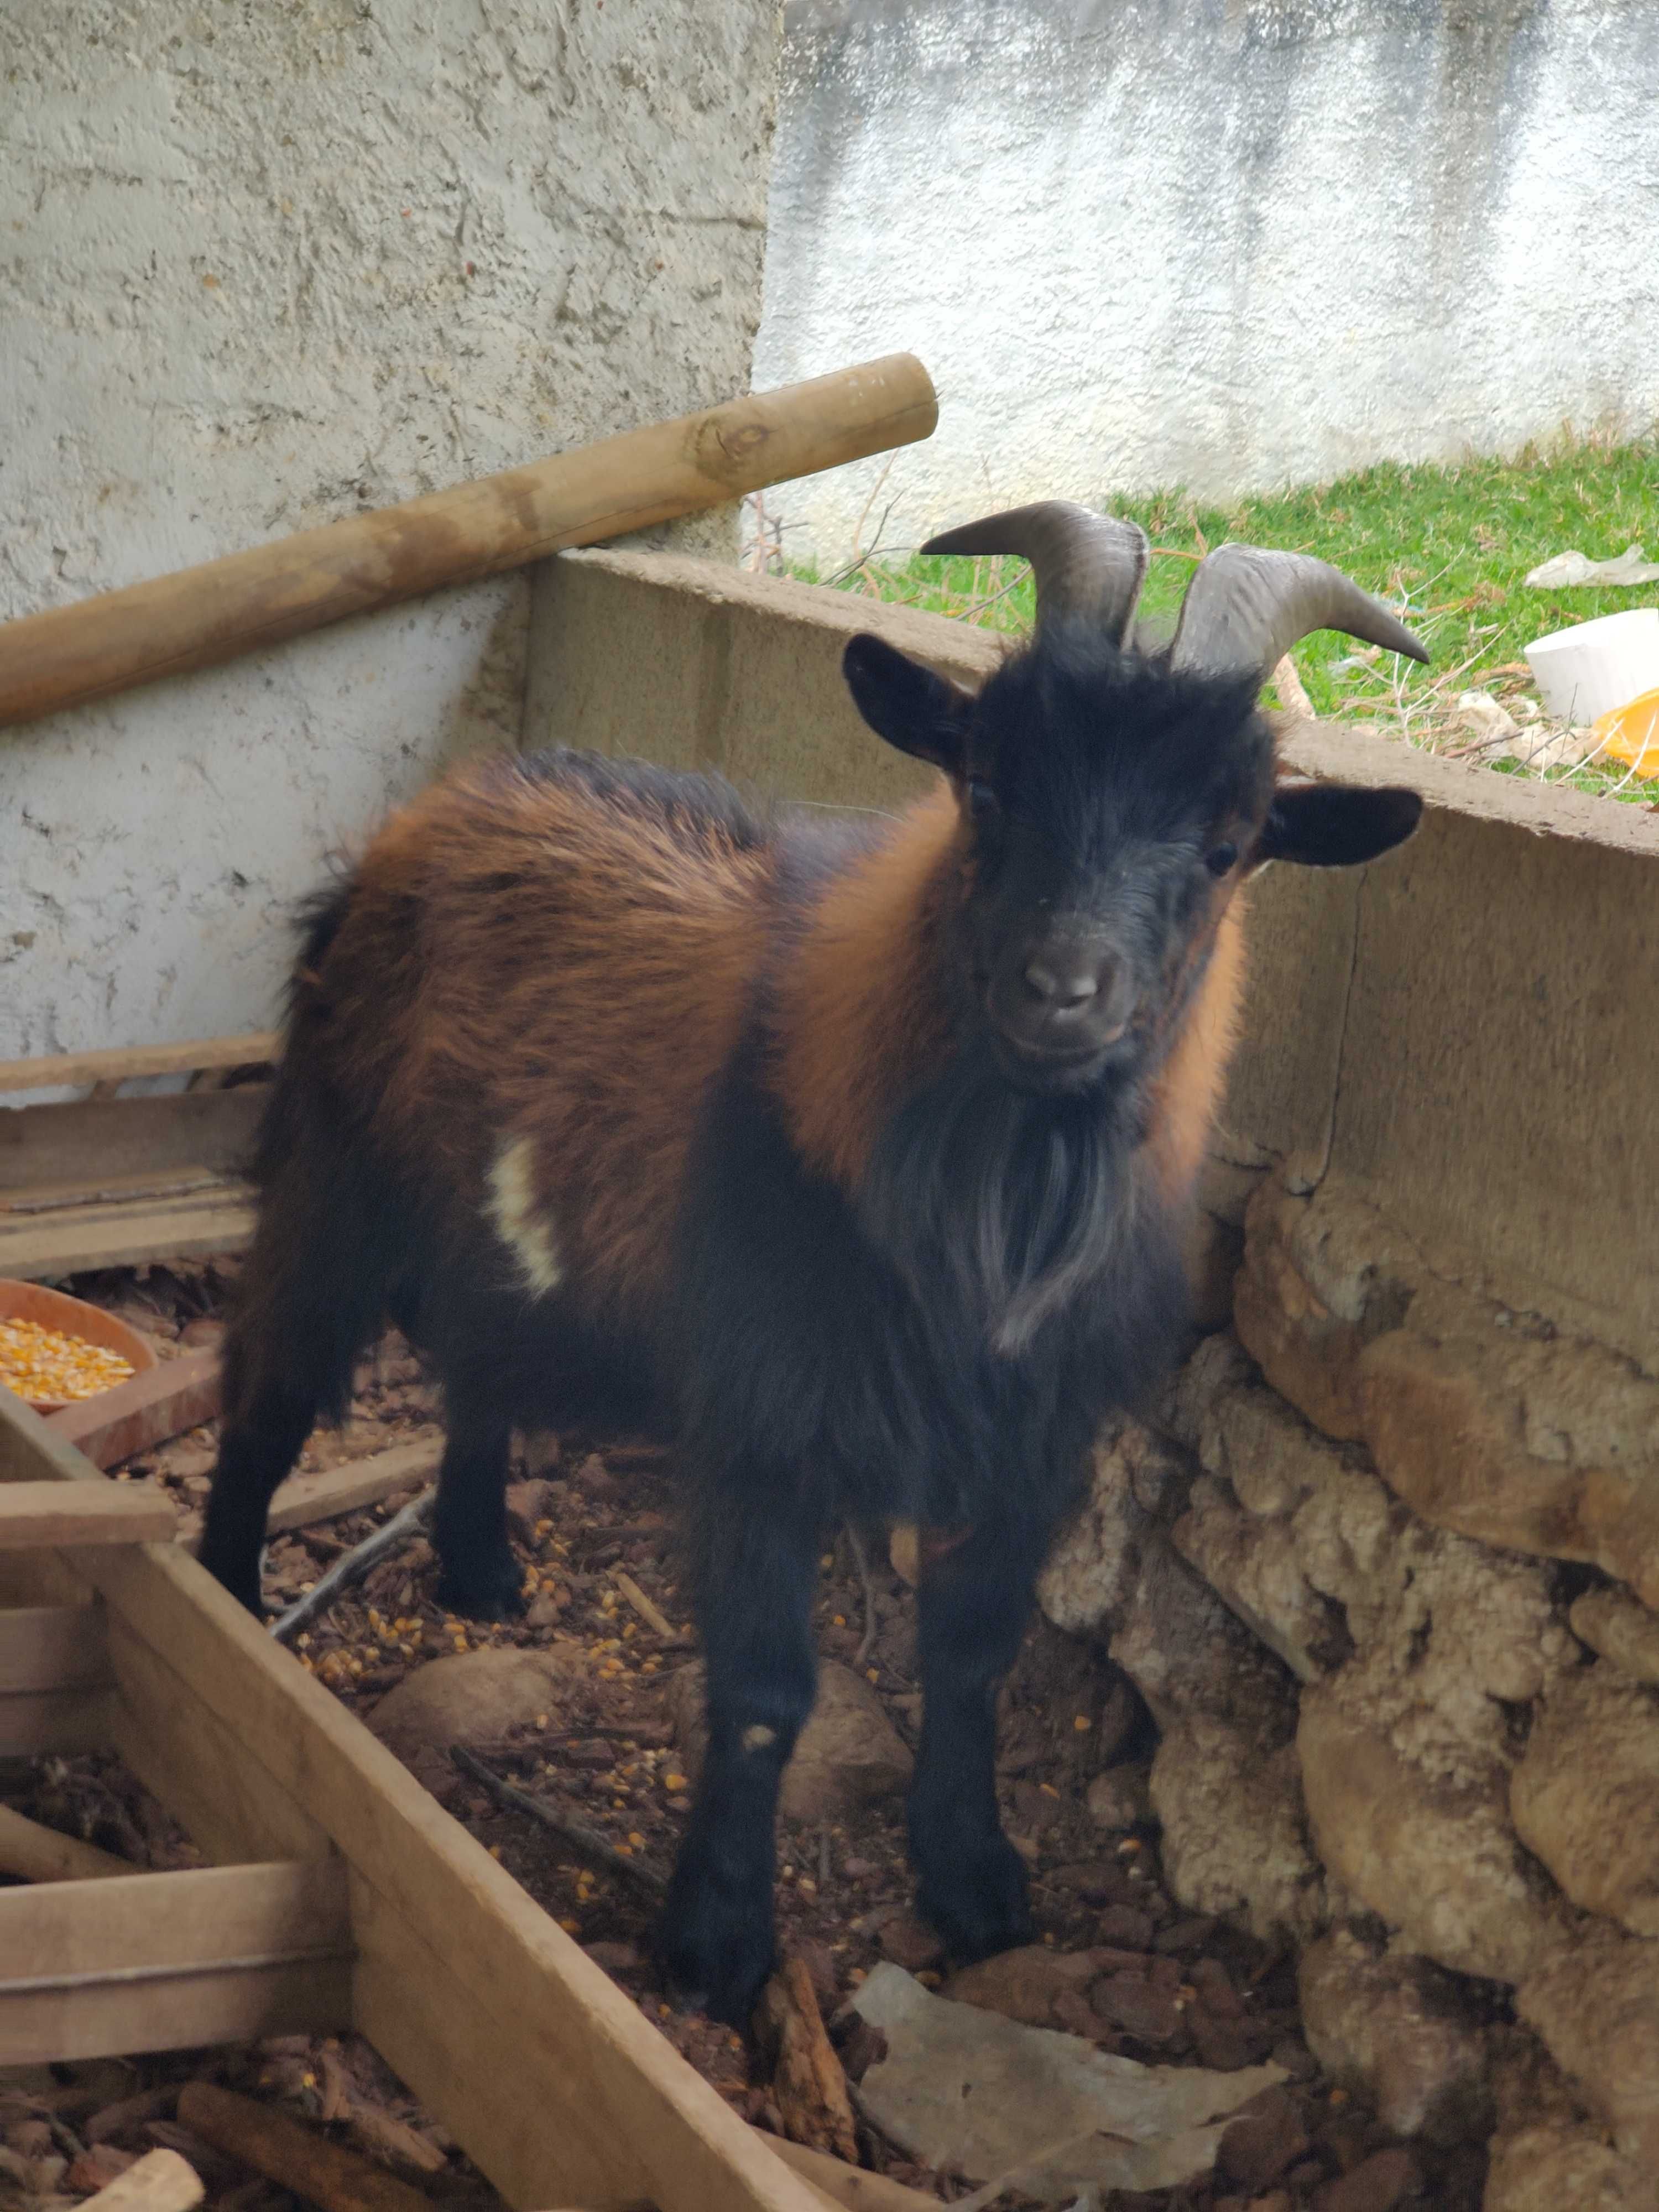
{"type": "Point", "coordinates": [262, 267]}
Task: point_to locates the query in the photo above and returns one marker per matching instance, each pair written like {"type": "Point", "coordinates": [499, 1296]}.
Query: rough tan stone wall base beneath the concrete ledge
{"type": "Point", "coordinates": [1386, 1569]}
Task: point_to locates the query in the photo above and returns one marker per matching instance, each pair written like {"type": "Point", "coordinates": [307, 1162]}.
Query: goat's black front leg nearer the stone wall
{"type": "Point", "coordinates": [972, 1611]}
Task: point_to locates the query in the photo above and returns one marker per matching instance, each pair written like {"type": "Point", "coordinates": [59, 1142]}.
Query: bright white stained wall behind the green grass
{"type": "Point", "coordinates": [1213, 242]}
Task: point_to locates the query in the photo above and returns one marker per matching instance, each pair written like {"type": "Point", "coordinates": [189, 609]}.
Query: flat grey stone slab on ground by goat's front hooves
{"type": "Point", "coordinates": [990, 2096]}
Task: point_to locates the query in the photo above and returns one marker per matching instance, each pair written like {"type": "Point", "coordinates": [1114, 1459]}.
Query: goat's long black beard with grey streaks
{"type": "Point", "coordinates": [1008, 1202]}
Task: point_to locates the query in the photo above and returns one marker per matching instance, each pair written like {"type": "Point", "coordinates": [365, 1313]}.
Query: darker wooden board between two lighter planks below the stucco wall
{"type": "Point", "coordinates": [92, 1140]}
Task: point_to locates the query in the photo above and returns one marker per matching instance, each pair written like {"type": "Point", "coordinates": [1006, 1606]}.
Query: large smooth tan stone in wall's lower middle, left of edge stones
{"type": "Point", "coordinates": [1428, 1848]}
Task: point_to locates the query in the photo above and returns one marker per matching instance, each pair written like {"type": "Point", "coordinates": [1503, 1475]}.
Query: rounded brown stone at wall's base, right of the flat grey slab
{"type": "Point", "coordinates": [1401, 2034]}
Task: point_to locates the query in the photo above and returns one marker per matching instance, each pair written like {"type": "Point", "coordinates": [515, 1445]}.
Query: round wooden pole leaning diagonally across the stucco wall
{"type": "Point", "coordinates": [247, 601]}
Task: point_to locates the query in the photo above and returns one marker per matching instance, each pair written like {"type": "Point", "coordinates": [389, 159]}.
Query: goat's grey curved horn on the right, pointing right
{"type": "Point", "coordinates": [1246, 609]}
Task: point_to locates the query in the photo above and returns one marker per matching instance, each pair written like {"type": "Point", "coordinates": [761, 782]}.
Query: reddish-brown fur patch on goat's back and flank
{"type": "Point", "coordinates": [523, 957]}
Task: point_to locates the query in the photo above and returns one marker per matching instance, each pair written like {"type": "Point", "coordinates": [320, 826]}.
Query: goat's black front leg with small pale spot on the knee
{"type": "Point", "coordinates": [755, 1600]}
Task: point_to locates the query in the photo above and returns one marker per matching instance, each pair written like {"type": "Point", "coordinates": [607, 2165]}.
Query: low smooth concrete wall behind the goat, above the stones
{"type": "Point", "coordinates": [1465, 1032]}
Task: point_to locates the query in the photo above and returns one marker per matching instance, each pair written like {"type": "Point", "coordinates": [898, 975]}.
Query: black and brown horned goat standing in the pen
{"type": "Point", "coordinates": [862, 1158]}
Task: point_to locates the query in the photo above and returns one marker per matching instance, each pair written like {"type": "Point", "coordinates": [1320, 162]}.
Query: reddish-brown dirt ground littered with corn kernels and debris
{"type": "Point", "coordinates": [594, 1516]}
